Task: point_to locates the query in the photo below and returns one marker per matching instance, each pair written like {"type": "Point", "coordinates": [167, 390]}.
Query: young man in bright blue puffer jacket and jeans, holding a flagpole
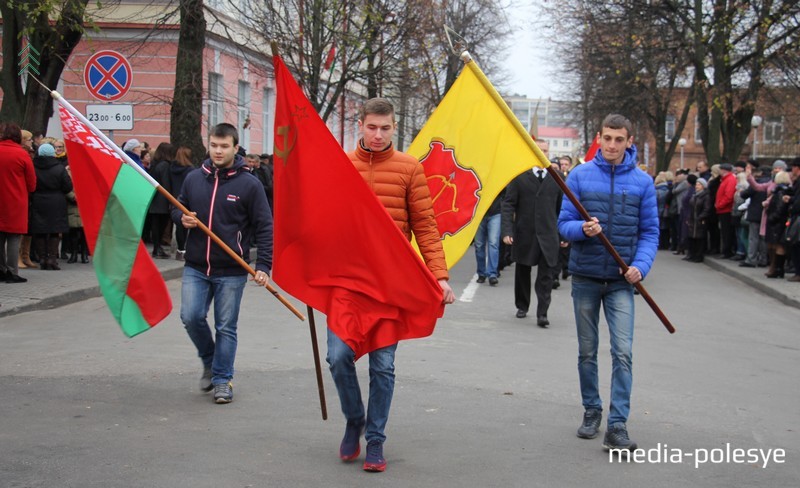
{"type": "Point", "coordinates": [621, 199]}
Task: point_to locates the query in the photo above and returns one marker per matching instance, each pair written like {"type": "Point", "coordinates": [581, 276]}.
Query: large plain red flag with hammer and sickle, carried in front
{"type": "Point", "coordinates": [336, 247]}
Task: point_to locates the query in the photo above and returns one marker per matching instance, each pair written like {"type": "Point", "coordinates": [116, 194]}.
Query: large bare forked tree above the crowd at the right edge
{"type": "Point", "coordinates": [730, 46]}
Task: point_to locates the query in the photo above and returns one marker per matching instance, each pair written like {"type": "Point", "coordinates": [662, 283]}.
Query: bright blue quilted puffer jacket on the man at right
{"type": "Point", "coordinates": [623, 199]}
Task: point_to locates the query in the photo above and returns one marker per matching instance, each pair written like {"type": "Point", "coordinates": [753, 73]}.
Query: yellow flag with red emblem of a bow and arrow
{"type": "Point", "coordinates": [471, 148]}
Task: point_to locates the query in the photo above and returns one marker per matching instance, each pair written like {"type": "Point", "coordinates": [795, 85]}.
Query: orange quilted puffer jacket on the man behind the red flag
{"type": "Point", "coordinates": [400, 184]}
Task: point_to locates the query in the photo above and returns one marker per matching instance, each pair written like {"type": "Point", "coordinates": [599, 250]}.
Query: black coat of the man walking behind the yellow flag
{"type": "Point", "coordinates": [530, 215]}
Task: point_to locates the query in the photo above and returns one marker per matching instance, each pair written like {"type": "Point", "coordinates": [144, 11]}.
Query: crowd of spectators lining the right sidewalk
{"type": "Point", "coordinates": [744, 212]}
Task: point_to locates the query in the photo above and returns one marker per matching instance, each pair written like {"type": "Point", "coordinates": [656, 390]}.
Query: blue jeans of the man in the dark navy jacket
{"type": "Point", "coordinates": [196, 294]}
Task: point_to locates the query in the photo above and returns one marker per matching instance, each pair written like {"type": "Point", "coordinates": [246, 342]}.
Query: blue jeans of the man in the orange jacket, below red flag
{"type": "Point", "coordinates": [381, 385]}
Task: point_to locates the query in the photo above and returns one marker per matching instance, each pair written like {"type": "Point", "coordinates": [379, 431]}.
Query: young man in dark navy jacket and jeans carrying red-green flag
{"type": "Point", "coordinates": [231, 202]}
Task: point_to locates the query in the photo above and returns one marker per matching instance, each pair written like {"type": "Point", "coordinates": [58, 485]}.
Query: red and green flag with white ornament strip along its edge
{"type": "Point", "coordinates": [113, 200]}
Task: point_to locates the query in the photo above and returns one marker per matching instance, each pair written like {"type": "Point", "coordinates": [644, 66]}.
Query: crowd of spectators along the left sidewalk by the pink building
{"type": "Point", "coordinates": [45, 227]}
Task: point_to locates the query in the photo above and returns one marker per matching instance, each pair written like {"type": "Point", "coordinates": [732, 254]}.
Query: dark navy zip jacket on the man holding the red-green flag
{"type": "Point", "coordinates": [232, 203]}
